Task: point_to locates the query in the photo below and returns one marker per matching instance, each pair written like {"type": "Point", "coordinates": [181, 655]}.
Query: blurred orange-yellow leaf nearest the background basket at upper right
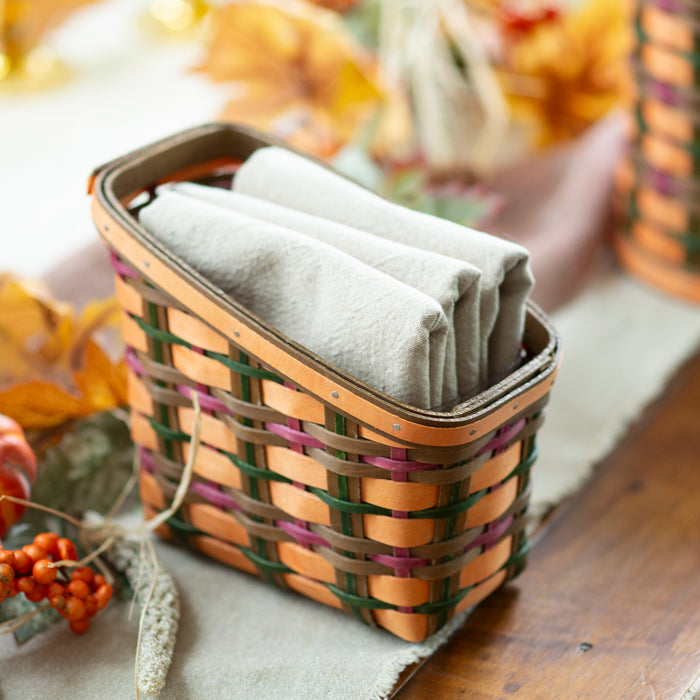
{"type": "Point", "coordinates": [566, 75]}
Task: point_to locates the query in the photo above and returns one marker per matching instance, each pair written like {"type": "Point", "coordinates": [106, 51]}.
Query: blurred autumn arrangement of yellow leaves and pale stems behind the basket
{"type": "Point", "coordinates": [419, 100]}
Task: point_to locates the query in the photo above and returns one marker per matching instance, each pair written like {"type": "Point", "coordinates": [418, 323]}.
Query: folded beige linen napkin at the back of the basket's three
{"type": "Point", "coordinates": [285, 178]}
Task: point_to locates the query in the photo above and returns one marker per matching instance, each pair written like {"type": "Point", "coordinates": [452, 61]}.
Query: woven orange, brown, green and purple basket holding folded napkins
{"type": "Point", "coordinates": [306, 477]}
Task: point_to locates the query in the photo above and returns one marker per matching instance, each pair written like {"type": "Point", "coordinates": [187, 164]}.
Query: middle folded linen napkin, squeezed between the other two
{"type": "Point", "coordinates": [453, 283]}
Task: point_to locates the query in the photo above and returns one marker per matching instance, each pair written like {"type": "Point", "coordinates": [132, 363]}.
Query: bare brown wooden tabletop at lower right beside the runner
{"type": "Point", "coordinates": [609, 606]}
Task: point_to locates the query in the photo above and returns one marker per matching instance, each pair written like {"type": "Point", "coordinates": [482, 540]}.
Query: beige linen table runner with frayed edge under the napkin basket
{"type": "Point", "coordinates": [240, 638]}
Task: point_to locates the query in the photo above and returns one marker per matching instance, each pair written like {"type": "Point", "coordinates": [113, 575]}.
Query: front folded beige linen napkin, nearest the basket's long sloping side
{"type": "Point", "coordinates": [363, 321]}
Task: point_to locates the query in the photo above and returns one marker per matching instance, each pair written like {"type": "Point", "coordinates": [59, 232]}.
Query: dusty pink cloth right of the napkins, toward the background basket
{"type": "Point", "coordinates": [558, 206]}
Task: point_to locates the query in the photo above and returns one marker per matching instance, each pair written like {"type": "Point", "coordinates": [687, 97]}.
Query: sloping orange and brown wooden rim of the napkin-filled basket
{"type": "Point", "coordinates": [194, 151]}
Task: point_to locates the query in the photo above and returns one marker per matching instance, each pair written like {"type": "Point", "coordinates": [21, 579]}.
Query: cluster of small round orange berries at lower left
{"type": "Point", "coordinates": [30, 571]}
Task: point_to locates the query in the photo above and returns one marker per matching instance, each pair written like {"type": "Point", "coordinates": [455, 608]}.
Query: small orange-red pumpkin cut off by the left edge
{"type": "Point", "coordinates": [17, 470]}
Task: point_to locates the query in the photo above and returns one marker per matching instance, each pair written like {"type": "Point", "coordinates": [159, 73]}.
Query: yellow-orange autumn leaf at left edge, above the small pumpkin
{"type": "Point", "coordinates": [52, 368]}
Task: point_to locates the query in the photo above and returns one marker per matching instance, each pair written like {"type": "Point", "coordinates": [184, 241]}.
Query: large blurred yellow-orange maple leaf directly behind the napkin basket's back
{"type": "Point", "coordinates": [299, 72]}
